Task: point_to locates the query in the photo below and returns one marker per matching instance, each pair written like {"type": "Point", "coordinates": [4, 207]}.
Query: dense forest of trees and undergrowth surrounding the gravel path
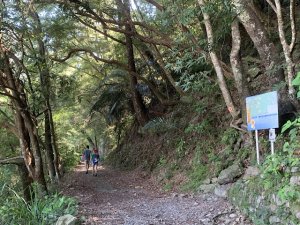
{"type": "Point", "coordinates": [158, 85]}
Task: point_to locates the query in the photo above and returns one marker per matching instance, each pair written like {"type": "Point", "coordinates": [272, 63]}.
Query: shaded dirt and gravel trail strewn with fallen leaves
{"type": "Point", "coordinates": [118, 197]}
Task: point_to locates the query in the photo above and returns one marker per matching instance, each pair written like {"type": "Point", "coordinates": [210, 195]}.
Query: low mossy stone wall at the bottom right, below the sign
{"type": "Point", "coordinates": [263, 206]}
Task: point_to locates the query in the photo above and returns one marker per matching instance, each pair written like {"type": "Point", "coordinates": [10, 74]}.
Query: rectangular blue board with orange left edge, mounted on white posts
{"type": "Point", "coordinates": [262, 111]}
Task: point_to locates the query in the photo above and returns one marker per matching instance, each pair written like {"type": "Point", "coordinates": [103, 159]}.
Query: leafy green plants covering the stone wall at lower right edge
{"type": "Point", "coordinates": [274, 191]}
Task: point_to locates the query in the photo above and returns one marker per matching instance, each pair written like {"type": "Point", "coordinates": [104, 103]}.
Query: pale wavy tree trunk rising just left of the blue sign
{"type": "Point", "coordinates": [237, 68]}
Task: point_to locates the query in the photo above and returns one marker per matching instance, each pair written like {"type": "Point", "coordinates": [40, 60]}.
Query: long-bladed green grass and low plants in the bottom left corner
{"type": "Point", "coordinates": [39, 211]}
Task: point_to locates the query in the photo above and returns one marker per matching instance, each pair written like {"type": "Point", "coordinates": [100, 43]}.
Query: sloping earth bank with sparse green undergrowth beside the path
{"type": "Point", "coordinates": [192, 139]}
